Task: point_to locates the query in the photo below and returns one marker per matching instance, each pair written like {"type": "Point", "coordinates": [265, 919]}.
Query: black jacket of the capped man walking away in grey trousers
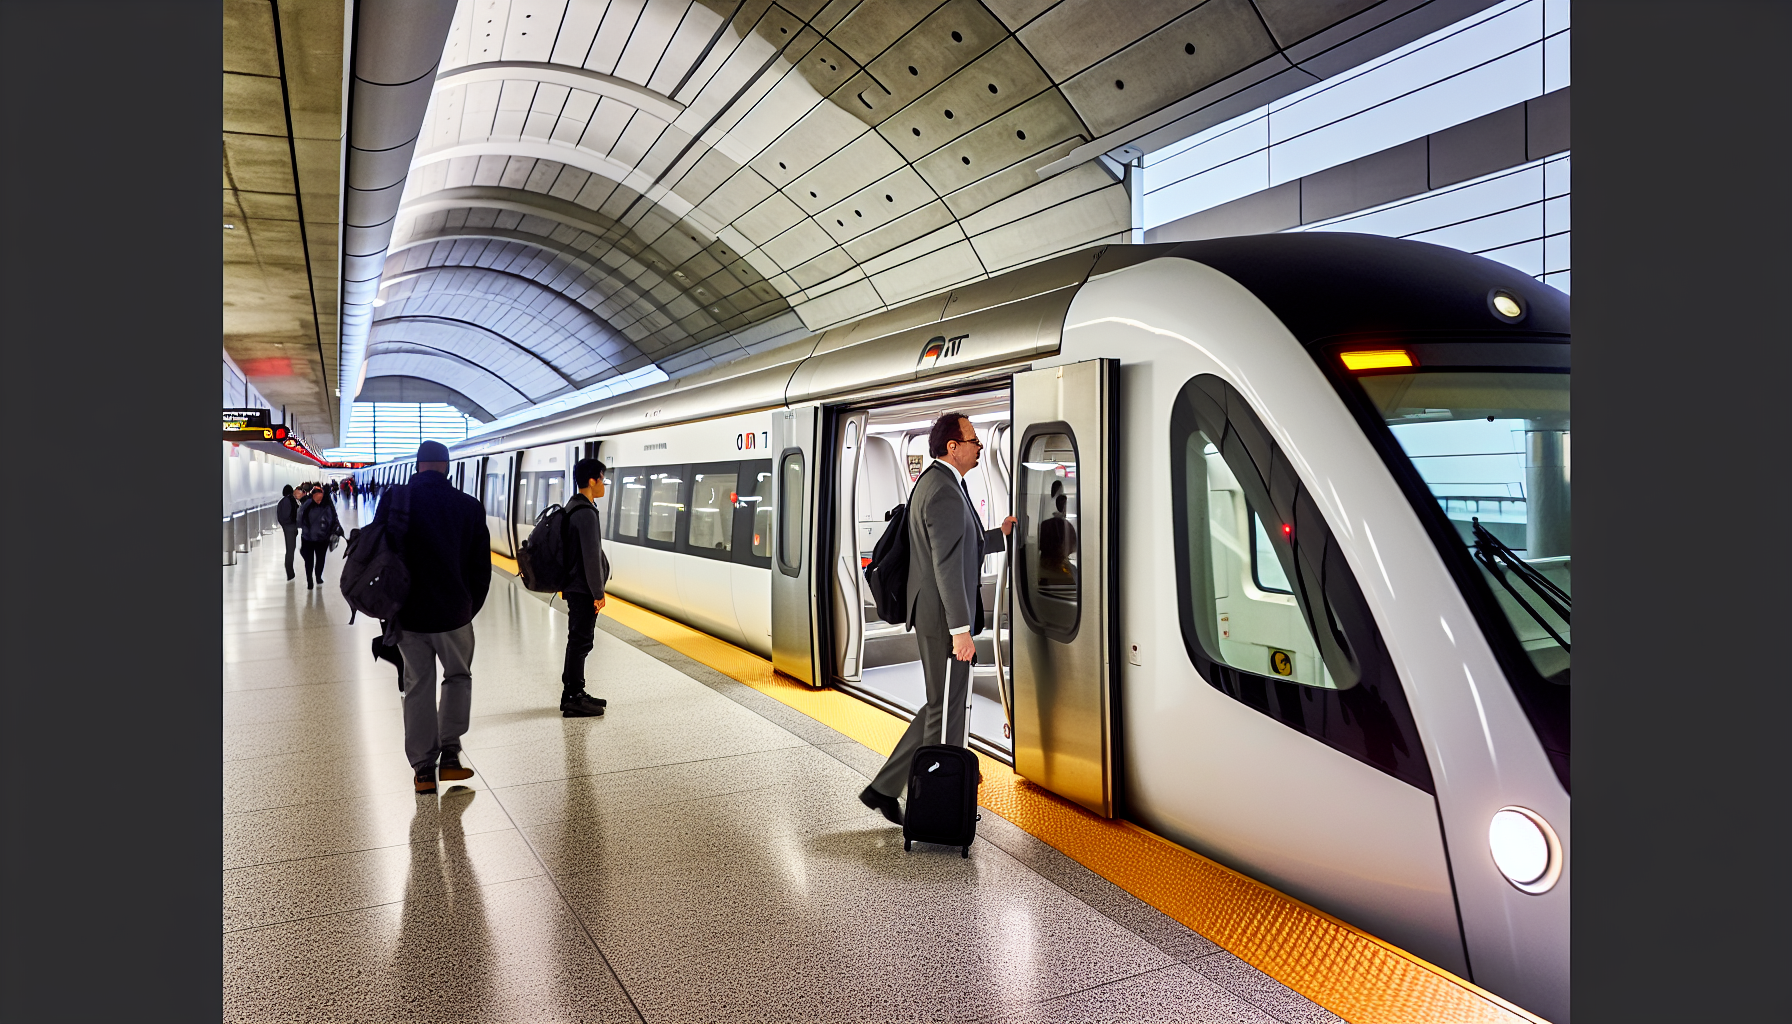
{"type": "Point", "coordinates": [447, 551]}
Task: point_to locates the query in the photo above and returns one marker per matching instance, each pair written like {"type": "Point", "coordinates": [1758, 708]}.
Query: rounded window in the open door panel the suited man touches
{"type": "Point", "coordinates": [1047, 557]}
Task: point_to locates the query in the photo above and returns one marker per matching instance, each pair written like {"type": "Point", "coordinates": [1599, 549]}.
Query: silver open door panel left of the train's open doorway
{"type": "Point", "coordinates": [795, 575]}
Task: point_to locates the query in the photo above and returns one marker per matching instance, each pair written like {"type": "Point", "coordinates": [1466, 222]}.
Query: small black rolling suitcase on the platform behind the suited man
{"type": "Point", "coordinates": [943, 777]}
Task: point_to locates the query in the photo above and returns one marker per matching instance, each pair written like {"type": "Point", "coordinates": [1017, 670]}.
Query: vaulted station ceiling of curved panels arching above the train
{"type": "Point", "coordinates": [598, 187]}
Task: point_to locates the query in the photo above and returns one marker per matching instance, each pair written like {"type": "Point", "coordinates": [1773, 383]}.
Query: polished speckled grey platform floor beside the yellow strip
{"type": "Point", "coordinates": [698, 855]}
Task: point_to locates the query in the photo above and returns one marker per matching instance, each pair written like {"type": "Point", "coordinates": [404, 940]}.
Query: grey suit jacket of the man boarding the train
{"type": "Point", "coordinates": [947, 546]}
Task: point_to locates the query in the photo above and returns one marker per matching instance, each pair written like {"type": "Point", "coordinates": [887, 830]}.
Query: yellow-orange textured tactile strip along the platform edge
{"type": "Point", "coordinates": [1340, 968]}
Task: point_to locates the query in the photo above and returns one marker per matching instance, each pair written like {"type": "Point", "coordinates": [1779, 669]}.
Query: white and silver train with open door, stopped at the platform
{"type": "Point", "coordinates": [1291, 580]}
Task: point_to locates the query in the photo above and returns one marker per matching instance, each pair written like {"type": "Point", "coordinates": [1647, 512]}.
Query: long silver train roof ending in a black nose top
{"type": "Point", "coordinates": [1323, 286]}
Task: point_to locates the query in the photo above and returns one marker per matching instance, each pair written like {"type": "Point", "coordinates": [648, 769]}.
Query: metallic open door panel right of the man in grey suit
{"type": "Point", "coordinates": [1064, 582]}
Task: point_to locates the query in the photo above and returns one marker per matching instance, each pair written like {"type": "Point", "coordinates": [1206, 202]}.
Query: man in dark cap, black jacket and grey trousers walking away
{"type": "Point", "coordinates": [447, 551]}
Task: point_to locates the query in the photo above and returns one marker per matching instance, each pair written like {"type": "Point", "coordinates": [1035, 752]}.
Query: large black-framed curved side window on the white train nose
{"type": "Point", "coordinates": [1309, 655]}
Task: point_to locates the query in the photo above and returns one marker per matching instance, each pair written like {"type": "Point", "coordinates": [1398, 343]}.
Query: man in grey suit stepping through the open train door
{"type": "Point", "coordinates": [947, 548]}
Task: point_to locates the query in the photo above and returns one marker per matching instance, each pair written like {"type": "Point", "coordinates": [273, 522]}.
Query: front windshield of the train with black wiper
{"type": "Point", "coordinates": [1494, 447]}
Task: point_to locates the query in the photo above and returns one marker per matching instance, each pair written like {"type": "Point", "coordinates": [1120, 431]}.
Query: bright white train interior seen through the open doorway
{"type": "Point", "coordinates": [883, 455]}
